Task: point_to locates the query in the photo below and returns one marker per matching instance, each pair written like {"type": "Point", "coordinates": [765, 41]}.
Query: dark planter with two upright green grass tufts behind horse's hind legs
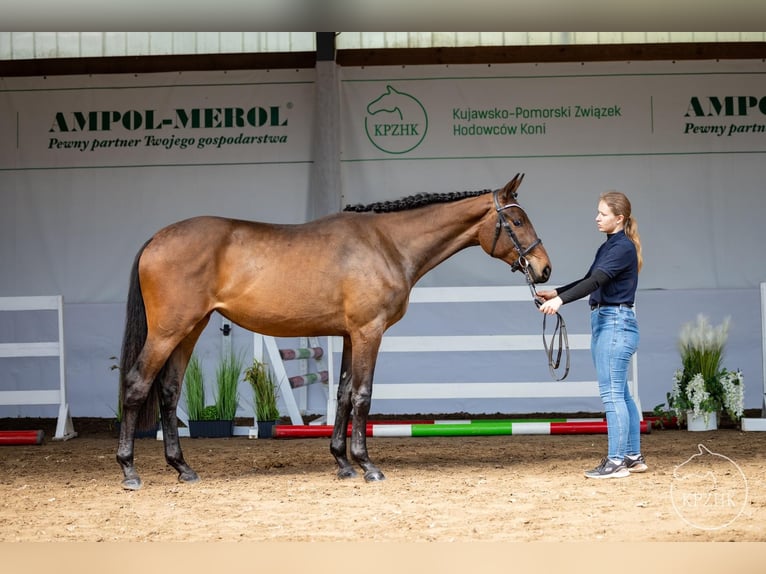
{"type": "Point", "coordinates": [216, 420]}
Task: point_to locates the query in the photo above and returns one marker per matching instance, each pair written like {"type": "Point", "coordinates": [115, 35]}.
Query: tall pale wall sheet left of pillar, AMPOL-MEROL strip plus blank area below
{"type": "Point", "coordinates": [91, 167]}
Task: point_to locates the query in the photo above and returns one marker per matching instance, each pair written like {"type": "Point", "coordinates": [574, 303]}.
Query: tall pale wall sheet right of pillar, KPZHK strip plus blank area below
{"type": "Point", "coordinates": [685, 141]}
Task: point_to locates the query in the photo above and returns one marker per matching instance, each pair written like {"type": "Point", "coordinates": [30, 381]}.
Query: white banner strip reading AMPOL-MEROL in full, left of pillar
{"type": "Point", "coordinates": [168, 119]}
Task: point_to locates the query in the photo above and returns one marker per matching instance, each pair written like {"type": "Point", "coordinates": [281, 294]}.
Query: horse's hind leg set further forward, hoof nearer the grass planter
{"type": "Point", "coordinates": [170, 392]}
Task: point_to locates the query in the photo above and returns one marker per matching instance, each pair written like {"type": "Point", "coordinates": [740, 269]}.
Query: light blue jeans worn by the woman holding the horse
{"type": "Point", "coordinates": [614, 340]}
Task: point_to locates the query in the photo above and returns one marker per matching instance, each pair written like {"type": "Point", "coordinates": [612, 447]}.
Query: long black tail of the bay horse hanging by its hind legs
{"type": "Point", "coordinates": [132, 343]}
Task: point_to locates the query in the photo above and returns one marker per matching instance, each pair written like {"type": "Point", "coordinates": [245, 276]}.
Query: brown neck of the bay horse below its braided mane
{"type": "Point", "coordinates": [427, 236]}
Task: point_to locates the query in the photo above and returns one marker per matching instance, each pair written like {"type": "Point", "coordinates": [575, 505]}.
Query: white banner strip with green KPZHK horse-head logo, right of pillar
{"type": "Point", "coordinates": [554, 110]}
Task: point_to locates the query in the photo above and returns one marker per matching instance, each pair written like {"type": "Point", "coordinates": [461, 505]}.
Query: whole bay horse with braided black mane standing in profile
{"type": "Point", "coordinates": [348, 274]}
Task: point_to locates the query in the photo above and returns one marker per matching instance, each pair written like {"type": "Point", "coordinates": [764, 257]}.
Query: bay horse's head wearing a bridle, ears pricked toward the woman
{"type": "Point", "coordinates": [507, 233]}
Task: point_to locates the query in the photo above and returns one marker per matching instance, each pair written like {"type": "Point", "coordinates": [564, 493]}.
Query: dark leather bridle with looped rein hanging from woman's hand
{"type": "Point", "coordinates": [521, 263]}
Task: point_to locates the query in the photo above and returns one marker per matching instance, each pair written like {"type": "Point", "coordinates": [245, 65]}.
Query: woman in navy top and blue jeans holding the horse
{"type": "Point", "coordinates": [611, 283]}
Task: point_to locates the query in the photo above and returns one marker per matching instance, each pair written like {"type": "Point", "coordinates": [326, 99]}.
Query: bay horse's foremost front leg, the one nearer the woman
{"type": "Point", "coordinates": [363, 367]}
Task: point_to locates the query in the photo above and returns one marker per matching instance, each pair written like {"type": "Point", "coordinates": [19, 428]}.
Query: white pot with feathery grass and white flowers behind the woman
{"type": "Point", "coordinates": [702, 388]}
